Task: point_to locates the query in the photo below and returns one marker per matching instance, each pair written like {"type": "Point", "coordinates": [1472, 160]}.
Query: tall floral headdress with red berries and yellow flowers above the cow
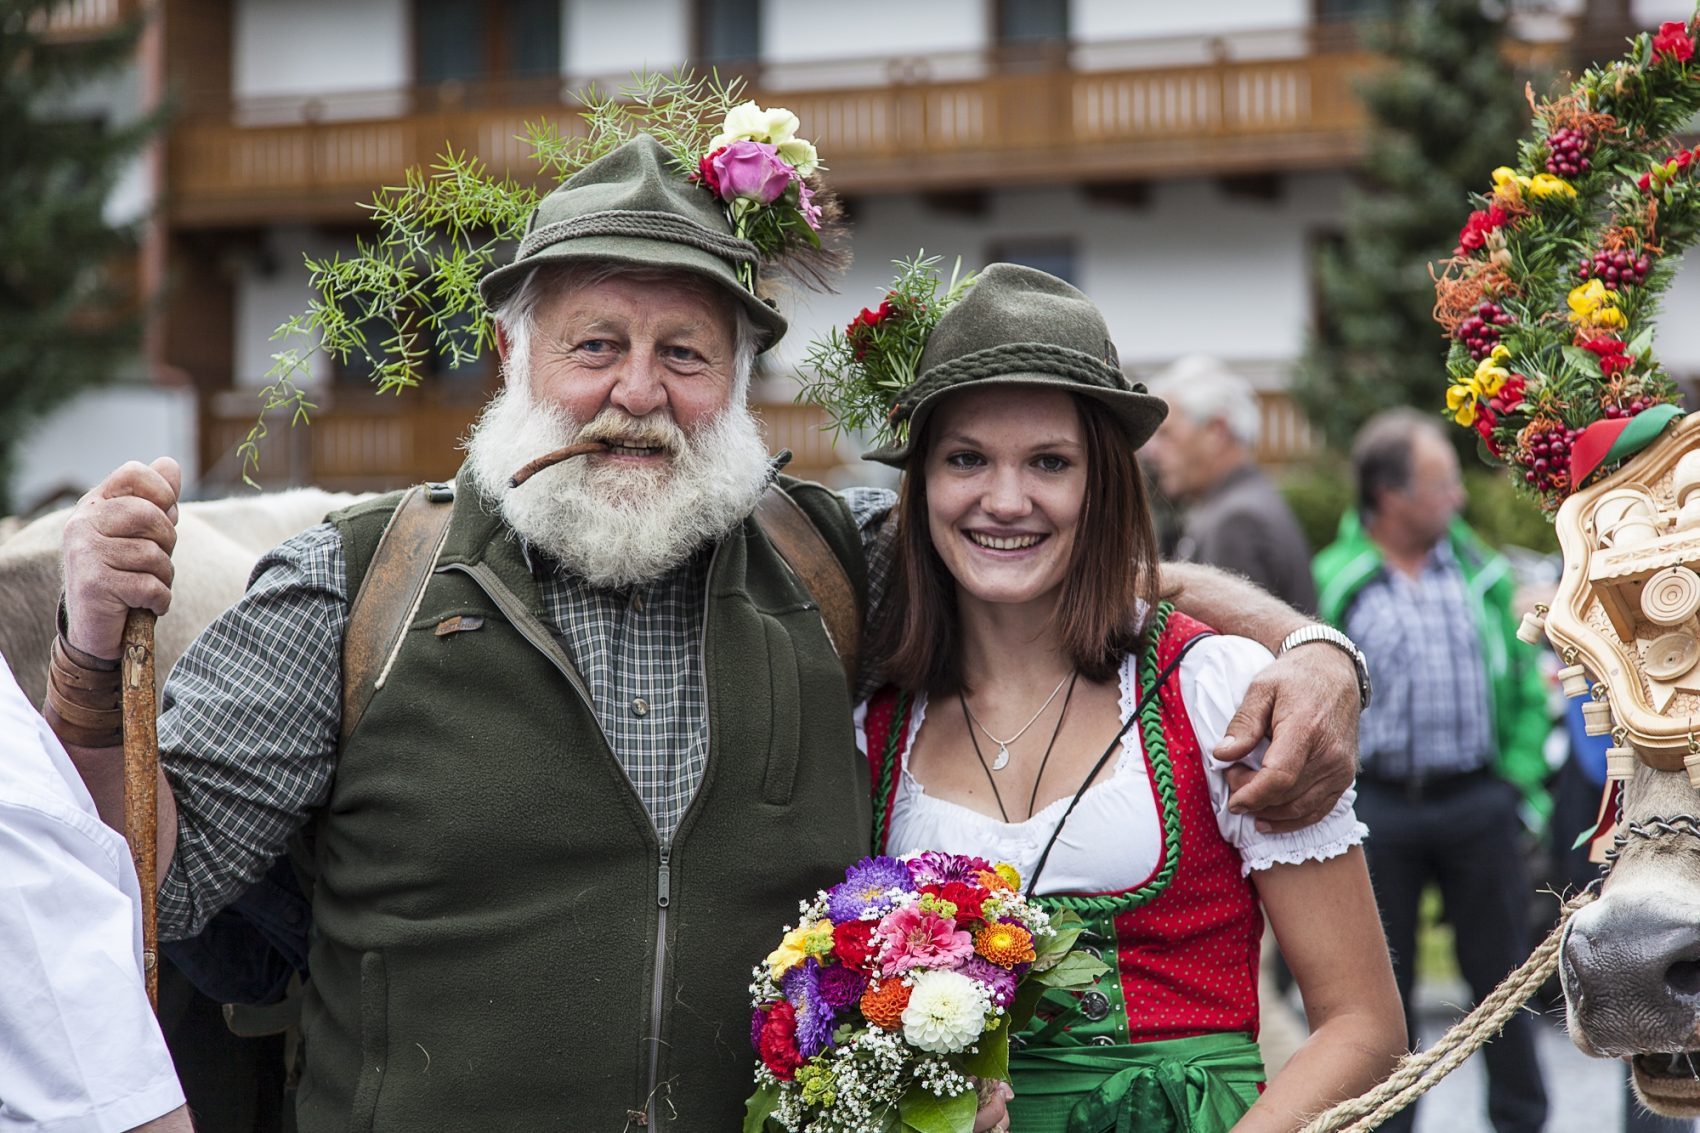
{"type": "Point", "coordinates": [1551, 293]}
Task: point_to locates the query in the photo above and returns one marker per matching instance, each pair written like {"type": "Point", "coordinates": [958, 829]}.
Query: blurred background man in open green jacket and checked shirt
{"type": "Point", "coordinates": [1453, 761]}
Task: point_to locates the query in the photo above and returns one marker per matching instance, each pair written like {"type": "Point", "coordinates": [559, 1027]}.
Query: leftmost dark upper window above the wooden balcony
{"type": "Point", "coordinates": [473, 40]}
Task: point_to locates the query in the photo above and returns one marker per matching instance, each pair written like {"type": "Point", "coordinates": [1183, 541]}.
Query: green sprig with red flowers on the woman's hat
{"type": "Point", "coordinates": [858, 373]}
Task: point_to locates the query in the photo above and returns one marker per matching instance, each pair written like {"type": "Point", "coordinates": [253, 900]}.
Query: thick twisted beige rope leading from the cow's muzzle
{"type": "Point", "coordinates": [1420, 1073]}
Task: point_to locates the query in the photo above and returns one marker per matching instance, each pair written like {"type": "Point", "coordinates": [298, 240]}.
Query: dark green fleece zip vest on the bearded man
{"type": "Point", "coordinates": [501, 942]}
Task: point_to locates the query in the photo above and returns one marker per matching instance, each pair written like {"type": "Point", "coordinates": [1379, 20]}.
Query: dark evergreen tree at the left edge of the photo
{"type": "Point", "coordinates": [64, 326]}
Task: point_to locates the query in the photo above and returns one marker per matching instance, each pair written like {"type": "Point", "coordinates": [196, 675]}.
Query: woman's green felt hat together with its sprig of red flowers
{"type": "Point", "coordinates": [1011, 326]}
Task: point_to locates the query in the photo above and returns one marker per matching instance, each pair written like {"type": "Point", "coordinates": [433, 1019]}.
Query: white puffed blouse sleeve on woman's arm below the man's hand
{"type": "Point", "coordinates": [1215, 676]}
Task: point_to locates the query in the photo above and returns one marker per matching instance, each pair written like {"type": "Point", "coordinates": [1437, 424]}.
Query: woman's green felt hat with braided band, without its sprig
{"type": "Point", "coordinates": [1021, 327]}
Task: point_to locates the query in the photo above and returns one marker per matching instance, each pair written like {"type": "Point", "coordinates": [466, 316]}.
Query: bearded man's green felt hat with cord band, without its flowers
{"type": "Point", "coordinates": [635, 207]}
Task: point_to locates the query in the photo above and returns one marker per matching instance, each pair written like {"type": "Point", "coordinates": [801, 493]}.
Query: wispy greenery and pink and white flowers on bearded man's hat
{"type": "Point", "coordinates": [441, 236]}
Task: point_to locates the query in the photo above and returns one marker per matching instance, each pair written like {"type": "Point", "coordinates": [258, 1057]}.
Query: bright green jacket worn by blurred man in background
{"type": "Point", "coordinates": [1519, 693]}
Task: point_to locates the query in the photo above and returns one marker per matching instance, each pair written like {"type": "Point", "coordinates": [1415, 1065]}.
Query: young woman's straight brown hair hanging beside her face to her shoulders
{"type": "Point", "coordinates": [1113, 569]}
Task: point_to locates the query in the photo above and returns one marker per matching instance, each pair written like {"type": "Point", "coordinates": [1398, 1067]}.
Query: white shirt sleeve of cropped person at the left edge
{"type": "Point", "coordinates": [81, 1047]}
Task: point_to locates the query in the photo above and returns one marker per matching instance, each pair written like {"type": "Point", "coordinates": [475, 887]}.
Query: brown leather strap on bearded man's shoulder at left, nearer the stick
{"type": "Point", "coordinates": [390, 595]}
